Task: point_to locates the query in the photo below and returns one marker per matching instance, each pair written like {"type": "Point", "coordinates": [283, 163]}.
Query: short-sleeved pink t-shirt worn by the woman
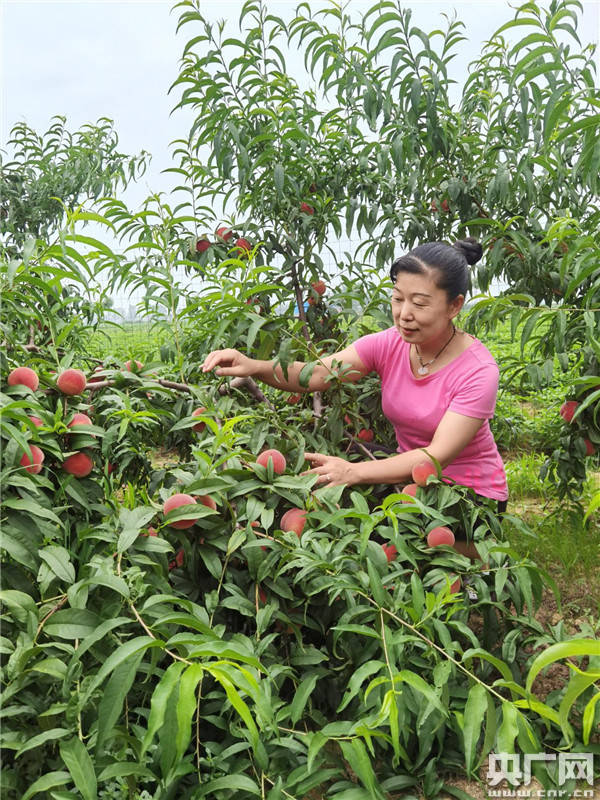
{"type": "Point", "coordinates": [467, 385]}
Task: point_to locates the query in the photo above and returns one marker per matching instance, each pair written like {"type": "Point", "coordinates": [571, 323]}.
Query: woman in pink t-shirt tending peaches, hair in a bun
{"type": "Point", "coordinates": [439, 384]}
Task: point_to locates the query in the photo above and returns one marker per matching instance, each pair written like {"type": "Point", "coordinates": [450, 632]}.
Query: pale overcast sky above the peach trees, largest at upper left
{"type": "Point", "coordinates": [117, 58]}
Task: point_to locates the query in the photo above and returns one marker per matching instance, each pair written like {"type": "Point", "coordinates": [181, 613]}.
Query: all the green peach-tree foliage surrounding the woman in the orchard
{"type": "Point", "coordinates": [144, 659]}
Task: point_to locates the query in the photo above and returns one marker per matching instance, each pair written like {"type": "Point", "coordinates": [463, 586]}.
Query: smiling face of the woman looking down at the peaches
{"type": "Point", "coordinates": [421, 311]}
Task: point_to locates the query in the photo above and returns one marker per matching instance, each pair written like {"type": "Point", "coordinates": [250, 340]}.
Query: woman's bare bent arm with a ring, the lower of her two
{"type": "Point", "coordinates": [452, 435]}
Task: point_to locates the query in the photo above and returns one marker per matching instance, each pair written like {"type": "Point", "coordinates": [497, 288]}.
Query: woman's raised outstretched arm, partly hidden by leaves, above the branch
{"type": "Point", "coordinates": [346, 363]}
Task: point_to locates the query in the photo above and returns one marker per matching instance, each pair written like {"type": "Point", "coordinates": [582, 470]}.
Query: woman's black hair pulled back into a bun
{"type": "Point", "coordinates": [450, 263]}
